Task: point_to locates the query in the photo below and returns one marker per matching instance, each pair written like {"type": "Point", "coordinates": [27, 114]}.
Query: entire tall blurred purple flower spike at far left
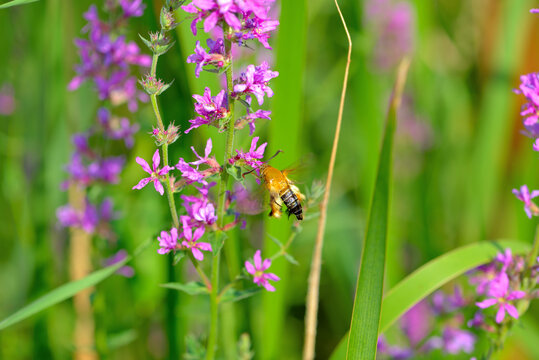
{"type": "Point", "coordinates": [106, 58]}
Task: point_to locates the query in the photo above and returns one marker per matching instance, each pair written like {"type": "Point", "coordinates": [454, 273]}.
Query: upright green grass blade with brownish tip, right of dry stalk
{"type": "Point", "coordinates": [363, 336]}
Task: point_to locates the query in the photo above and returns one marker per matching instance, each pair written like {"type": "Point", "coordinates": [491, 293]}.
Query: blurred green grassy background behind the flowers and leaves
{"type": "Point", "coordinates": [459, 152]}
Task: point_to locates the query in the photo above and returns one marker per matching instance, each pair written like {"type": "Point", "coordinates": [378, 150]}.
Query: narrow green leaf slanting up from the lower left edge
{"type": "Point", "coordinates": [61, 293]}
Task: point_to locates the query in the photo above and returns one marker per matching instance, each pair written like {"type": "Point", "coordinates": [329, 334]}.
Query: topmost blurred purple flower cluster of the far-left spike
{"type": "Point", "coordinates": [106, 57]}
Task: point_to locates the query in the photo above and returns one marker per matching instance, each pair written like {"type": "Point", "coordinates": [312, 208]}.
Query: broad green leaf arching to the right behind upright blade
{"type": "Point", "coordinates": [431, 276]}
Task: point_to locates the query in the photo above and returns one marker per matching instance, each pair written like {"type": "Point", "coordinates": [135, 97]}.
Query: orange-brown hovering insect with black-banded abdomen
{"type": "Point", "coordinates": [282, 191]}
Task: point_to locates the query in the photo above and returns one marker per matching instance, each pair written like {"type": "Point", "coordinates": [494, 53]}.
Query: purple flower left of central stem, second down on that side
{"type": "Point", "coordinates": [211, 109]}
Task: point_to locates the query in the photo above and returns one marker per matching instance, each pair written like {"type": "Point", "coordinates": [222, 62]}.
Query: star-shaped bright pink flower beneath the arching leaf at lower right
{"type": "Point", "coordinates": [500, 295]}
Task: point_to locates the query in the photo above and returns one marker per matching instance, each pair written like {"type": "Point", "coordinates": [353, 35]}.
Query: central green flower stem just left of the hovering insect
{"type": "Point", "coordinates": [214, 294]}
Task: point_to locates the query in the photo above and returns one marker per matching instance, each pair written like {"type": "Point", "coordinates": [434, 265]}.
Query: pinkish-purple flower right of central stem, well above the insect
{"type": "Point", "coordinates": [255, 81]}
